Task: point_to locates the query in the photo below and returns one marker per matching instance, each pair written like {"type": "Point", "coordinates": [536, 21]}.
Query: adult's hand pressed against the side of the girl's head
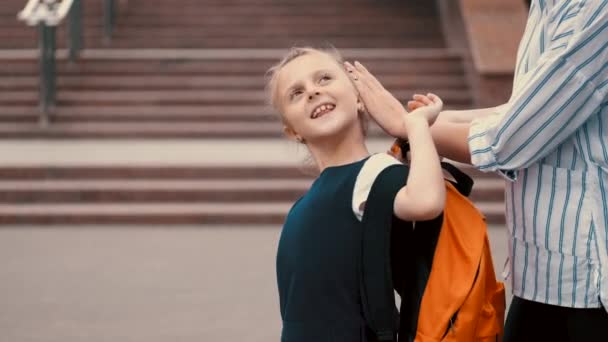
{"type": "Point", "coordinates": [383, 107]}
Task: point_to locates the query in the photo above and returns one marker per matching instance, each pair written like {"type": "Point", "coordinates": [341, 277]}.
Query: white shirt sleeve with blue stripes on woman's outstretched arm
{"type": "Point", "coordinates": [566, 87]}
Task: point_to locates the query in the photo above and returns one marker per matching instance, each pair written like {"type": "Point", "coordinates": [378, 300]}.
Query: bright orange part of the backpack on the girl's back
{"type": "Point", "coordinates": [462, 300]}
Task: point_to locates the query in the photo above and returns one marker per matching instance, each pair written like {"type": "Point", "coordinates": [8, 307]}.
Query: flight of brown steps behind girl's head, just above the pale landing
{"type": "Point", "coordinates": [195, 97]}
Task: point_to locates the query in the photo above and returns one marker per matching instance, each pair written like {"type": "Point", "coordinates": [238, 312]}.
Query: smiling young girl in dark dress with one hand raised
{"type": "Point", "coordinates": [317, 258]}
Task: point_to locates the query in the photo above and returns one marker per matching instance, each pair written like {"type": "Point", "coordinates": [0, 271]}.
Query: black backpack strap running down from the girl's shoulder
{"type": "Point", "coordinates": [377, 293]}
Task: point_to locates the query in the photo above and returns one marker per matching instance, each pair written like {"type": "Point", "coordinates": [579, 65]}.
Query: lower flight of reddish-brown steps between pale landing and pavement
{"type": "Point", "coordinates": [156, 195]}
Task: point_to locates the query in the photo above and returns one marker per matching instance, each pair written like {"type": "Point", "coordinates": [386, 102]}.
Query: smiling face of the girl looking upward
{"type": "Point", "coordinates": [316, 98]}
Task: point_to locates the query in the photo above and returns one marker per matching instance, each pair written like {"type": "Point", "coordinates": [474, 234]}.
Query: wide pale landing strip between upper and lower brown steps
{"type": "Point", "coordinates": [191, 154]}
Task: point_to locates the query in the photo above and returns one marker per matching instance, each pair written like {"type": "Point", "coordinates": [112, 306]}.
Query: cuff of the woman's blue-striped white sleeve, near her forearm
{"type": "Point", "coordinates": [480, 142]}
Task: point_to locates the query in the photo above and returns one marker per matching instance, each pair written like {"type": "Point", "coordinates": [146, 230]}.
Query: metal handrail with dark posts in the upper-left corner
{"type": "Point", "coordinates": [47, 14]}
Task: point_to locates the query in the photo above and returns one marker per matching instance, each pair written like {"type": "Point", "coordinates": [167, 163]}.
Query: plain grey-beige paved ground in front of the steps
{"type": "Point", "coordinates": [128, 284]}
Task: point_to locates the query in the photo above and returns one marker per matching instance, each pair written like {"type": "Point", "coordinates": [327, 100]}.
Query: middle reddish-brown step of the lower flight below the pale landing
{"type": "Point", "coordinates": [186, 191]}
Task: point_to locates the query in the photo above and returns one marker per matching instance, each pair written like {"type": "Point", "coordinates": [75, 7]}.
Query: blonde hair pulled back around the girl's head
{"type": "Point", "coordinates": [292, 54]}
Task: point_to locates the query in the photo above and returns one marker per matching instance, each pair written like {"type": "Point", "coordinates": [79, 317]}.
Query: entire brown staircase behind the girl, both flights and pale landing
{"type": "Point", "coordinates": [192, 72]}
